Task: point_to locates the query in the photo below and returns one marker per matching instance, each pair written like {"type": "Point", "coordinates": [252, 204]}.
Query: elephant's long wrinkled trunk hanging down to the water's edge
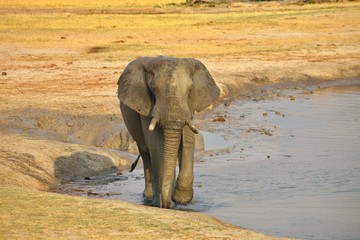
{"type": "Point", "coordinates": [172, 138]}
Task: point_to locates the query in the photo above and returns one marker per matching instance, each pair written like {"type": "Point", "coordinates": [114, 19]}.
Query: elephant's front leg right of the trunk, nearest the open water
{"type": "Point", "coordinates": [184, 186]}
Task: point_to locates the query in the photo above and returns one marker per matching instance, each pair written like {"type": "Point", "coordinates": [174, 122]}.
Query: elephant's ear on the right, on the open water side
{"type": "Point", "coordinates": [204, 90]}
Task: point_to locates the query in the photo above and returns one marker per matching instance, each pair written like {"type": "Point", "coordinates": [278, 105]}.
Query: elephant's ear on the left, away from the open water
{"type": "Point", "coordinates": [132, 88]}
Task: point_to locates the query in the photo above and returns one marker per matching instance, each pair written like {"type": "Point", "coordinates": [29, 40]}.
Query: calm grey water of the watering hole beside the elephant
{"type": "Point", "coordinates": [286, 168]}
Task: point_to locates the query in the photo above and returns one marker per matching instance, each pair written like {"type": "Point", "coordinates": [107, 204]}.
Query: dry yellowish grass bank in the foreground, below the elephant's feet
{"type": "Point", "coordinates": [39, 215]}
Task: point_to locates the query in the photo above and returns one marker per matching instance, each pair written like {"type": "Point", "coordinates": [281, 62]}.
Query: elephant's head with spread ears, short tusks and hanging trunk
{"type": "Point", "coordinates": [169, 91]}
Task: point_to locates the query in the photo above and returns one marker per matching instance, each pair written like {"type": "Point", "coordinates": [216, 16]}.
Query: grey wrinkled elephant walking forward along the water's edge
{"type": "Point", "coordinates": [159, 96]}
